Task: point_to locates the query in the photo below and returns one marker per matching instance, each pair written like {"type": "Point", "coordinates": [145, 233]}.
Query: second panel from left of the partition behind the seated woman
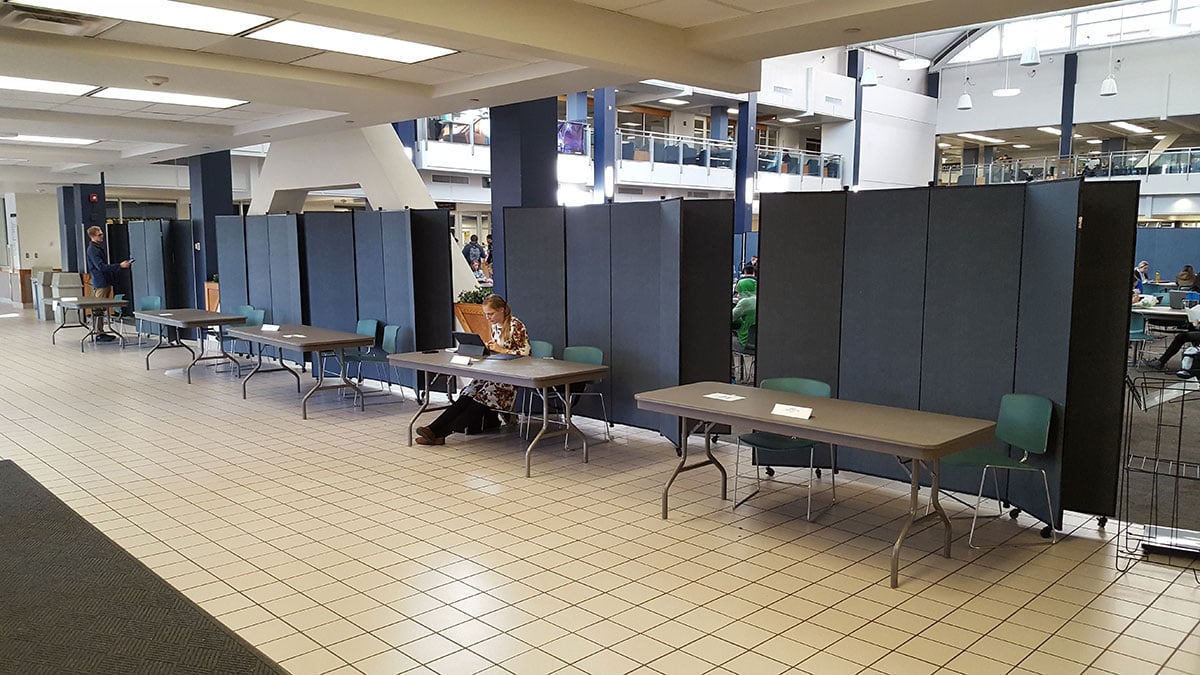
{"type": "Point", "coordinates": [590, 301]}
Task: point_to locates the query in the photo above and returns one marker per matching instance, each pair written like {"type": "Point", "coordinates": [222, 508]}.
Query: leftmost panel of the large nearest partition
{"type": "Point", "coordinates": [800, 285]}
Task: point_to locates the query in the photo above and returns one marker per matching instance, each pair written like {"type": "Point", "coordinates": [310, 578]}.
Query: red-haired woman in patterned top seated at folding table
{"type": "Point", "coordinates": [475, 410]}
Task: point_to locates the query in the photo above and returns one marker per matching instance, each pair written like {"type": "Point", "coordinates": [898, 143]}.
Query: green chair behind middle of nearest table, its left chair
{"type": "Point", "coordinates": [767, 446]}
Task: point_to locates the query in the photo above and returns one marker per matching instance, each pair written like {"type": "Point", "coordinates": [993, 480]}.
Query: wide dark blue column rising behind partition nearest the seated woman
{"type": "Point", "coordinates": [525, 166]}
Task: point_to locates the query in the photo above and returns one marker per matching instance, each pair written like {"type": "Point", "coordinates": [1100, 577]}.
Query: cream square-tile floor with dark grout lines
{"type": "Point", "coordinates": [335, 548]}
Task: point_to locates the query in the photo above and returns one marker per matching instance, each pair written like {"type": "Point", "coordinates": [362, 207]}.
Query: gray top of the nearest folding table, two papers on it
{"type": "Point", "coordinates": [884, 429]}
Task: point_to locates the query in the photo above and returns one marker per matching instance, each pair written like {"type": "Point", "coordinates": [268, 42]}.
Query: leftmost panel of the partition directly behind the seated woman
{"type": "Point", "coordinates": [536, 261]}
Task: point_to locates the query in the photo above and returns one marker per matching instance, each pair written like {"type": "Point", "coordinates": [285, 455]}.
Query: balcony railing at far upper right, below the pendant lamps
{"type": "Point", "coordinates": [1106, 165]}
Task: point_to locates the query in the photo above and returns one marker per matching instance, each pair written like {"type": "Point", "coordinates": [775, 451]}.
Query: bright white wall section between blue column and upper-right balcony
{"type": "Point", "coordinates": [898, 139]}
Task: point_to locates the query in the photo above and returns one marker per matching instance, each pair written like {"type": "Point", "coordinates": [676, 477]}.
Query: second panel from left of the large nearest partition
{"type": "Point", "coordinates": [883, 306]}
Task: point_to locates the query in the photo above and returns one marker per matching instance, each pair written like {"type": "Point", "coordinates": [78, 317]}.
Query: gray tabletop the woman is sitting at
{"type": "Point", "coordinates": [525, 372]}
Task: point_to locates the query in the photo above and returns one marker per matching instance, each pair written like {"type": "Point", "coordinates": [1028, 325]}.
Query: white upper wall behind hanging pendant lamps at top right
{"type": "Point", "coordinates": [1155, 80]}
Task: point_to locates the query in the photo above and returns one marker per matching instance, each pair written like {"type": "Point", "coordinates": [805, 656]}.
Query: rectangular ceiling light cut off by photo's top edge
{"type": "Point", "coordinates": [160, 13]}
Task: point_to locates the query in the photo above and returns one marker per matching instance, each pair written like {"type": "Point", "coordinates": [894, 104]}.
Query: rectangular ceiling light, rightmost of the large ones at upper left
{"type": "Point", "coordinates": [350, 43]}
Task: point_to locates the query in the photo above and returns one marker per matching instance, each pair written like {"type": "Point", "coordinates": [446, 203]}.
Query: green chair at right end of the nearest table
{"type": "Point", "coordinates": [1024, 425]}
